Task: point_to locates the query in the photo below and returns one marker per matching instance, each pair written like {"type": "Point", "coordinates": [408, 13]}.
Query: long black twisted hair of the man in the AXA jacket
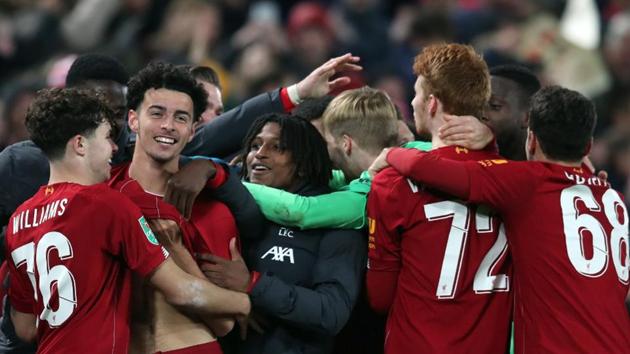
{"type": "Point", "coordinates": [299, 137]}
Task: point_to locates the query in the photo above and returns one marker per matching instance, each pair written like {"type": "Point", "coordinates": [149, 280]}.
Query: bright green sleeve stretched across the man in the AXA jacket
{"type": "Point", "coordinates": [342, 209]}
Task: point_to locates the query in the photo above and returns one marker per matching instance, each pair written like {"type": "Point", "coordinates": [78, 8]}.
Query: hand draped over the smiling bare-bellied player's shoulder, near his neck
{"type": "Point", "coordinates": [184, 186]}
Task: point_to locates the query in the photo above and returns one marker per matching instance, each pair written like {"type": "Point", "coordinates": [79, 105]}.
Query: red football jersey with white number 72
{"type": "Point", "coordinates": [453, 290]}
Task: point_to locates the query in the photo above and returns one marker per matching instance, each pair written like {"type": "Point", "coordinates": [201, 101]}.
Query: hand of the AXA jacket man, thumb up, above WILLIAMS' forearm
{"type": "Point", "coordinates": [230, 274]}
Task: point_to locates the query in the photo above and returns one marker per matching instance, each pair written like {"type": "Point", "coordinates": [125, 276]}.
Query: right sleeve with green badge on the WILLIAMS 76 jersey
{"type": "Point", "coordinates": [131, 237]}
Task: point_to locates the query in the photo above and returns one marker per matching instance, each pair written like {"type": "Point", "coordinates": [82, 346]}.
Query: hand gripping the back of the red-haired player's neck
{"type": "Point", "coordinates": [466, 131]}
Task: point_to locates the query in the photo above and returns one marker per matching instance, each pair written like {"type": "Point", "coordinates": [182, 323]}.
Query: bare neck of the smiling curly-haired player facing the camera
{"type": "Point", "coordinates": [150, 174]}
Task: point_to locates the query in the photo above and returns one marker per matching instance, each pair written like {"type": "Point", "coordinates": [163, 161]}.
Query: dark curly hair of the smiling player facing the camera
{"type": "Point", "coordinates": [159, 75]}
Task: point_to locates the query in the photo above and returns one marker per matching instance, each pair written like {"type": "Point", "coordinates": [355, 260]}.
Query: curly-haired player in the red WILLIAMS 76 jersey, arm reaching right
{"type": "Point", "coordinates": [72, 245]}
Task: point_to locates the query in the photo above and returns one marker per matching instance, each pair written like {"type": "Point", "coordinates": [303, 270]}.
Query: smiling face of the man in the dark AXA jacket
{"type": "Point", "coordinates": [267, 163]}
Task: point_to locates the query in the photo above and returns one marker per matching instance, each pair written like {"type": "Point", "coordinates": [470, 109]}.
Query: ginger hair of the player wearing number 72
{"type": "Point", "coordinates": [455, 74]}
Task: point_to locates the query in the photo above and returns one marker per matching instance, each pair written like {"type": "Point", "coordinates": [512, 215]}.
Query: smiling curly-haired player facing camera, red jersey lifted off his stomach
{"type": "Point", "coordinates": [165, 103]}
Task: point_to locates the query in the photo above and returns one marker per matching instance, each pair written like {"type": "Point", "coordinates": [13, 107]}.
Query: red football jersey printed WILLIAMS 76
{"type": "Point", "coordinates": [70, 249]}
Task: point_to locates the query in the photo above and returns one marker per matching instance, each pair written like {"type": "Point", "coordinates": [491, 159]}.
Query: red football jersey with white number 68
{"type": "Point", "coordinates": [568, 233]}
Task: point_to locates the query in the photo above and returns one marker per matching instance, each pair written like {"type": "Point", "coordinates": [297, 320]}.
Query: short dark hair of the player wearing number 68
{"type": "Point", "coordinates": [563, 120]}
